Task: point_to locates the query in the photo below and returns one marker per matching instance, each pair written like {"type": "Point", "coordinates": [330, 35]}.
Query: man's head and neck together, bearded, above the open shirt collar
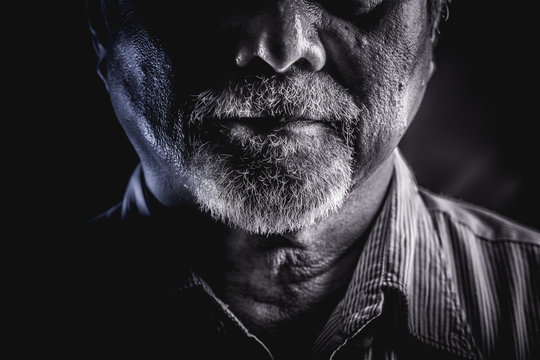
{"type": "Point", "coordinates": [279, 276]}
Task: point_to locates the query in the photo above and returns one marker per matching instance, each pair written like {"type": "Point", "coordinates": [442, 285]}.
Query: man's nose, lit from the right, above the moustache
{"type": "Point", "coordinates": [283, 36]}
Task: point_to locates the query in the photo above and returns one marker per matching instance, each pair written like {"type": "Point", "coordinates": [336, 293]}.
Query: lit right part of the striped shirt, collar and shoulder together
{"type": "Point", "coordinates": [470, 278]}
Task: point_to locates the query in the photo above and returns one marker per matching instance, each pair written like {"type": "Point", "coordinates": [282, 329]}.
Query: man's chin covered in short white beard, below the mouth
{"type": "Point", "coordinates": [271, 184]}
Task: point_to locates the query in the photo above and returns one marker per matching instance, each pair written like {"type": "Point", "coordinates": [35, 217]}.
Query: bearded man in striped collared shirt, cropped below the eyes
{"type": "Point", "coordinates": [271, 215]}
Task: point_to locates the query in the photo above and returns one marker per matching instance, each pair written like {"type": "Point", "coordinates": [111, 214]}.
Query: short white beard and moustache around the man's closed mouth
{"type": "Point", "coordinates": [273, 182]}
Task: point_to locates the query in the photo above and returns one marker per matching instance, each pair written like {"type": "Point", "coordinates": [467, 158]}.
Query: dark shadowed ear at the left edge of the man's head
{"type": "Point", "coordinates": [99, 33]}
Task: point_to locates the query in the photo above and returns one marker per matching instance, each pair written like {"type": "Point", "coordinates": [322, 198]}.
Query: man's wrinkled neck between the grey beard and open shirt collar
{"type": "Point", "coordinates": [290, 283]}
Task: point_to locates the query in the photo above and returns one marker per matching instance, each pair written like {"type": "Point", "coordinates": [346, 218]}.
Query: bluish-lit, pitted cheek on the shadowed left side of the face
{"type": "Point", "coordinates": [140, 83]}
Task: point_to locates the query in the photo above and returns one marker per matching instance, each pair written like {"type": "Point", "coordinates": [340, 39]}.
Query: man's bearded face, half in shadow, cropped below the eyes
{"type": "Point", "coordinates": [268, 112]}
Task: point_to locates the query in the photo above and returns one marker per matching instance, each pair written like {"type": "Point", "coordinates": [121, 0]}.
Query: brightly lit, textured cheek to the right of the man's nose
{"type": "Point", "coordinates": [386, 70]}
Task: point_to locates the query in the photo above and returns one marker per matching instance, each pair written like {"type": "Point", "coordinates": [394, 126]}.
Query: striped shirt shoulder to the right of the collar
{"type": "Point", "coordinates": [494, 263]}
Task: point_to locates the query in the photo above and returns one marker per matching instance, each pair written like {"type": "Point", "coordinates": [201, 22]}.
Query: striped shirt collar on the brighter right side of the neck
{"type": "Point", "coordinates": [404, 256]}
